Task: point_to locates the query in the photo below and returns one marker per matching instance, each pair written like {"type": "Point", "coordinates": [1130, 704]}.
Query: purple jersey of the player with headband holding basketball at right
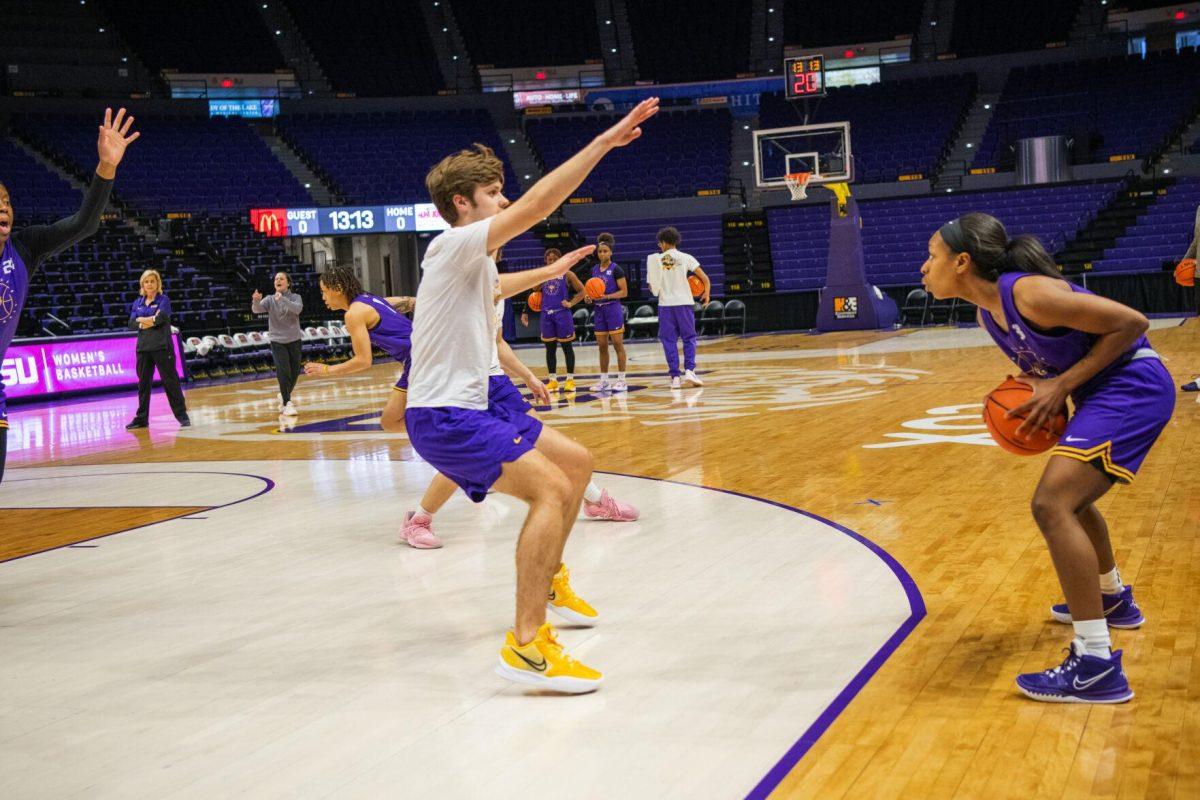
{"type": "Point", "coordinates": [1045, 354]}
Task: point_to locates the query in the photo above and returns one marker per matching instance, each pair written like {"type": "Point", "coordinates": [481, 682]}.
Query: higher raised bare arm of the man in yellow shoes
{"type": "Point", "coordinates": [551, 191]}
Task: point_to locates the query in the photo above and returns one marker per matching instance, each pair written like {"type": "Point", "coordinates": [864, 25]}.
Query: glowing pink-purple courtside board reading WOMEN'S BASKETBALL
{"type": "Point", "coordinates": [83, 364]}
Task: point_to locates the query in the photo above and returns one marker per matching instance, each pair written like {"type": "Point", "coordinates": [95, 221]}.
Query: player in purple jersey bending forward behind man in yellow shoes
{"type": "Point", "coordinates": [371, 322]}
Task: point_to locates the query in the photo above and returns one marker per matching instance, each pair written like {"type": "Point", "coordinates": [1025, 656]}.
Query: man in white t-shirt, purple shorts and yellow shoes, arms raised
{"type": "Point", "coordinates": [449, 419]}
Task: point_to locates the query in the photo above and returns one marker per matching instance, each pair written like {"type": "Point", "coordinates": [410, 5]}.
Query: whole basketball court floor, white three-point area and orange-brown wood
{"type": "Point", "coordinates": [833, 582]}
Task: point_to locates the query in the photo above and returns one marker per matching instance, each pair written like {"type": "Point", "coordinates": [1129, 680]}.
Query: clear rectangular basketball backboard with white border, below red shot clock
{"type": "Point", "coordinates": [820, 149]}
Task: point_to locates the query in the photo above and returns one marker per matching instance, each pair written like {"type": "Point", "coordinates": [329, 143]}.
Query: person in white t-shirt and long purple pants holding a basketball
{"type": "Point", "coordinates": [668, 275]}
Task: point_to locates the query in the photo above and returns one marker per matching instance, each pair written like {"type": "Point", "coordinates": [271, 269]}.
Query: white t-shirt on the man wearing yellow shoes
{"type": "Point", "coordinates": [454, 327]}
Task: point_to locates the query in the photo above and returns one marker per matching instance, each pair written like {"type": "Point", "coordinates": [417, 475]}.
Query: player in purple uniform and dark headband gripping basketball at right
{"type": "Point", "coordinates": [1067, 344]}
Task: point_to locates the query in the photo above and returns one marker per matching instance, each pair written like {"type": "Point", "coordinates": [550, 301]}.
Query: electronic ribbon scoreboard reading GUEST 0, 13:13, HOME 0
{"type": "Point", "coordinates": [343, 221]}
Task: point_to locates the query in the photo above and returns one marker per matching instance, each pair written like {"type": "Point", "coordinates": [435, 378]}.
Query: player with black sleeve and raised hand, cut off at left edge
{"type": "Point", "coordinates": [23, 252]}
